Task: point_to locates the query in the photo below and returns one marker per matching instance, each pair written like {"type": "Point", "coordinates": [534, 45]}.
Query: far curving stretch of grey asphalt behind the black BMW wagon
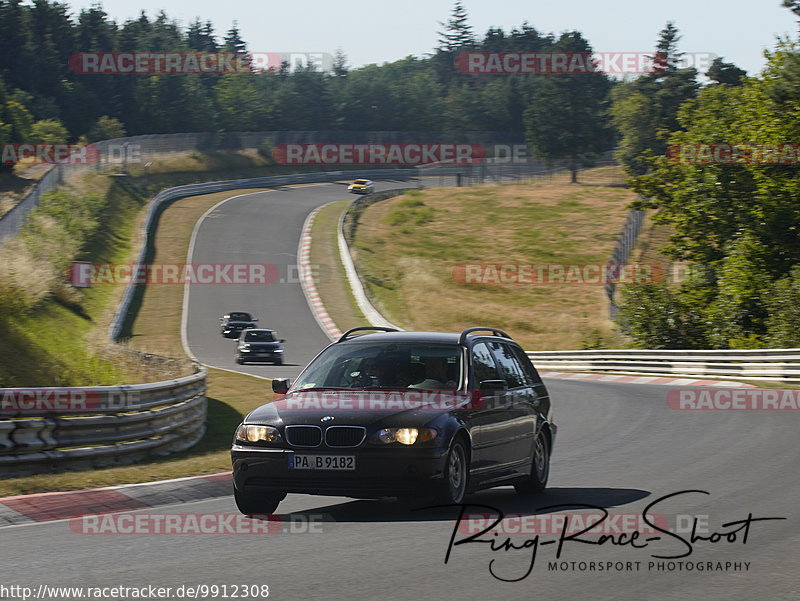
{"type": "Point", "coordinates": [261, 227]}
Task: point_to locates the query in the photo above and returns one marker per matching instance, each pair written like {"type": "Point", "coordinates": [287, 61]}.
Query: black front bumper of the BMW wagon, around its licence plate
{"type": "Point", "coordinates": [389, 472]}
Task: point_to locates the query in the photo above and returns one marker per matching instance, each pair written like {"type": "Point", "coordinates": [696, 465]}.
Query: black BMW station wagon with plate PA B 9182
{"type": "Point", "coordinates": [399, 414]}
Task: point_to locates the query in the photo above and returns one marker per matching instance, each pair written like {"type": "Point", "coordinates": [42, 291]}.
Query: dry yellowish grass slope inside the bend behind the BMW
{"type": "Point", "coordinates": [407, 247]}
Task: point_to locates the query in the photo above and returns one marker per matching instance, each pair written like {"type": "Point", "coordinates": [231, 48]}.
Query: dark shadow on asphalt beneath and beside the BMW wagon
{"type": "Point", "coordinates": [504, 499]}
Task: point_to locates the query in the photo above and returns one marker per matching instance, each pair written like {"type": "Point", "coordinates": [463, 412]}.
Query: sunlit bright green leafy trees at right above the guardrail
{"type": "Point", "coordinates": [730, 195]}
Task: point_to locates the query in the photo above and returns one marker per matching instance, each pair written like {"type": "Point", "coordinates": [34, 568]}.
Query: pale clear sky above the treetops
{"type": "Point", "coordinates": [376, 32]}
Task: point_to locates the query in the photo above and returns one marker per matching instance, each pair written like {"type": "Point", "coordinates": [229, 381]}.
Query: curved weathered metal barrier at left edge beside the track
{"type": "Point", "coordinates": [107, 425]}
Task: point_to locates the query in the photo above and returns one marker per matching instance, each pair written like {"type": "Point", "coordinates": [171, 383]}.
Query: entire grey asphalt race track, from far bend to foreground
{"type": "Point", "coordinates": [619, 447]}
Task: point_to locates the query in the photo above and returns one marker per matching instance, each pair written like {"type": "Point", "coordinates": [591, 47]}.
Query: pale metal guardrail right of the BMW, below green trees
{"type": "Point", "coordinates": [781, 365]}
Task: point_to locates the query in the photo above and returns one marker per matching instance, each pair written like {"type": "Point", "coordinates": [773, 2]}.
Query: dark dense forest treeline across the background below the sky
{"type": "Point", "coordinates": [427, 93]}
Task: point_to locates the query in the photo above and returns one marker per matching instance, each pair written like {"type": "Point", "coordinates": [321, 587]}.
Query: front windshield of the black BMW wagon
{"type": "Point", "coordinates": [381, 365]}
